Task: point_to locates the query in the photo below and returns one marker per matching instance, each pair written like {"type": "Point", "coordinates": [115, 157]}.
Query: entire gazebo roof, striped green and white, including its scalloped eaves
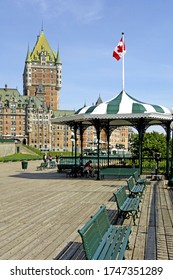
{"type": "Point", "coordinates": [122, 110]}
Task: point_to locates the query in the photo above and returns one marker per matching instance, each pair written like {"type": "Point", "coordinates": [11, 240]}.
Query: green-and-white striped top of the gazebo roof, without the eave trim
{"type": "Point", "coordinates": [123, 104]}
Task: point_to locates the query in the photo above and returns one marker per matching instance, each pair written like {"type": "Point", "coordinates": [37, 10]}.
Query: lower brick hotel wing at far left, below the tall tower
{"type": "Point", "coordinates": [24, 118]}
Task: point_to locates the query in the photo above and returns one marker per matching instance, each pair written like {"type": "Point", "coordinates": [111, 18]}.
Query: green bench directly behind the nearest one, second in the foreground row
{"type": "Point", "coordinates": [127, 206]}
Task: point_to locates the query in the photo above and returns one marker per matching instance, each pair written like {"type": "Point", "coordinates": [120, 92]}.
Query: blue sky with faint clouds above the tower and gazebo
{"type": "Point", "coordinates": [86, 32]}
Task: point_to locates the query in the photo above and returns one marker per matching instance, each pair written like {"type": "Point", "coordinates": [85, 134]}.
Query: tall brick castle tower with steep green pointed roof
{"type": "Point", "coordinates": [42, 73]}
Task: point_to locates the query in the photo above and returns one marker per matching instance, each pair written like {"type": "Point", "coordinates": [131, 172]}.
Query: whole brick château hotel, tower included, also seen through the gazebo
{"type": "Point", "coordinates": [27, 117]}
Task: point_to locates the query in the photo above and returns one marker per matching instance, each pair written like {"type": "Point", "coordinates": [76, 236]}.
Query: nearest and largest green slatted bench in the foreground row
{"type": "Point", "coordinates": [102, 240]}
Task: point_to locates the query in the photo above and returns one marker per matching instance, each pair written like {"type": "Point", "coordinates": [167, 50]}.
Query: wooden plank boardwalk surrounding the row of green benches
{"type": "Point", "coordinates": [42, 210]}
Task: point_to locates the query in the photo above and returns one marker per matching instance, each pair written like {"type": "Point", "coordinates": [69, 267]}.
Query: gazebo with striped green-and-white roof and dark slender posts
{"type": "Point", "coordinates": [122, 110]}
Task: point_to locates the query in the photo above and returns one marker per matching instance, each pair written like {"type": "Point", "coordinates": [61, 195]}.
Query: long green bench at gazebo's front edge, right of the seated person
{"type": "Point", "coordinates": [117, 171]}
